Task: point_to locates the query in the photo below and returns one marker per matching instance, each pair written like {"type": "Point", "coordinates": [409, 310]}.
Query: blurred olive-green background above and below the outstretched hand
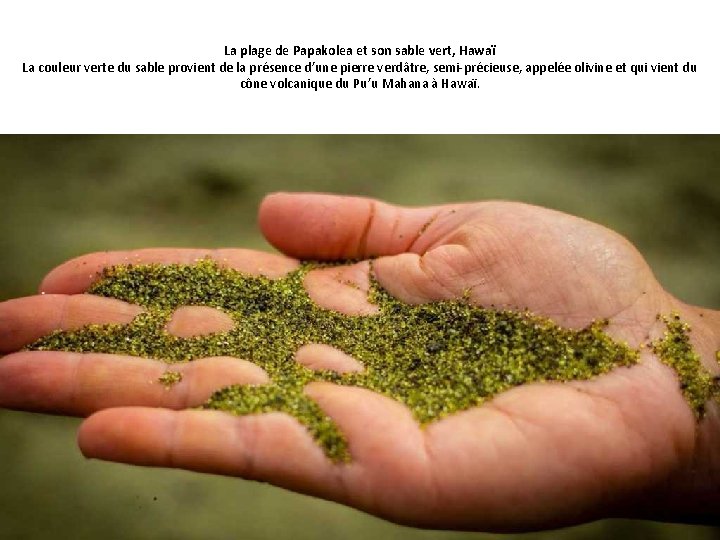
{"type": "Point", "coordinates": [62, 196]}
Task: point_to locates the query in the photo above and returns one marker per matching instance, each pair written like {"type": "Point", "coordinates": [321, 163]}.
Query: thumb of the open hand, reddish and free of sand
{"type": "Point", "coordinates": [322, 226]}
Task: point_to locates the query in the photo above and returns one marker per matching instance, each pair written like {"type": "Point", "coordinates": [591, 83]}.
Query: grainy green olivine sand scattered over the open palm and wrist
{"type": "Point", "coordinates": [436, 358]}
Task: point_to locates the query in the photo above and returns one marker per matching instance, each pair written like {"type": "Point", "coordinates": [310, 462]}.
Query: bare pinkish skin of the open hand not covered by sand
{"type": "Point", "coordinates": [542, 455]}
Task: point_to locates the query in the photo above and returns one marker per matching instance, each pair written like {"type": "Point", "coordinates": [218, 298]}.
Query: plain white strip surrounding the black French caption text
{"type": "Point", "coordinates": [524, 31]}
